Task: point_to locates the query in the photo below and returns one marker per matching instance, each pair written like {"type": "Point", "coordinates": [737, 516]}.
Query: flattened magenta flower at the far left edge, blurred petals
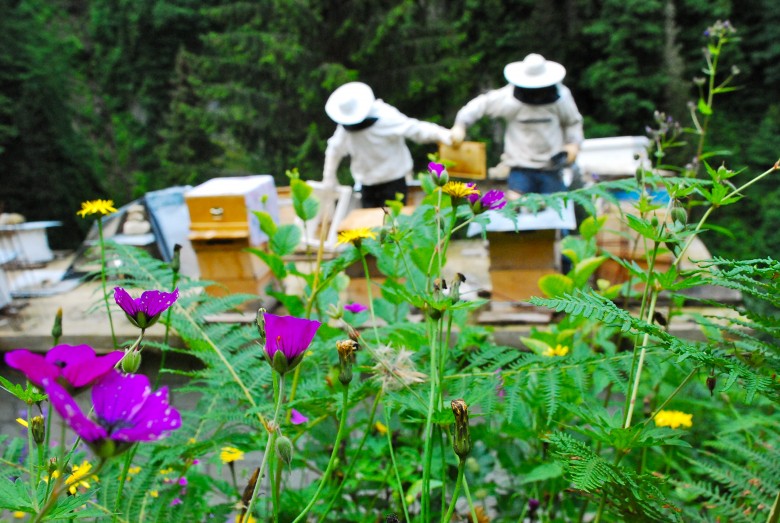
{"type": "Point", "coordinates": [72, 366]}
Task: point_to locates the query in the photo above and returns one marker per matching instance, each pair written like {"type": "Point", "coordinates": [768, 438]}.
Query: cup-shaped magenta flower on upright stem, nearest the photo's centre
{"type": "Point", "coordinates": [286, 339]}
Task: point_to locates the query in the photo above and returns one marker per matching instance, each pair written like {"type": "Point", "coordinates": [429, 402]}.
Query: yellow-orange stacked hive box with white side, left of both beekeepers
{"type": "Point", "coordinates": [223, 226]}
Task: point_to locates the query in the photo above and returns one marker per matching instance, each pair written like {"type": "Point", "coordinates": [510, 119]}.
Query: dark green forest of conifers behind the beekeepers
{"type": "Point", "coordinates": [112, 98]}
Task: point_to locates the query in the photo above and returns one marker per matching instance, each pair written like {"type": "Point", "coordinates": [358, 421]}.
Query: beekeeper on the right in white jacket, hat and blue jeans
{"type": "Point", "coordinates": [543, 125]}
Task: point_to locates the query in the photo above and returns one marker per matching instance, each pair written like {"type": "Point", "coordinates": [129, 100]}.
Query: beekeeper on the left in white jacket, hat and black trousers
{"type": "Point", "coordinates": [373, 134]}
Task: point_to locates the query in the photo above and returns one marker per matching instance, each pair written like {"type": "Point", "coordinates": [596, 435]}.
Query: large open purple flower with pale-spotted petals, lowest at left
{"type": "Point", "coordinates": [126, 411]}
